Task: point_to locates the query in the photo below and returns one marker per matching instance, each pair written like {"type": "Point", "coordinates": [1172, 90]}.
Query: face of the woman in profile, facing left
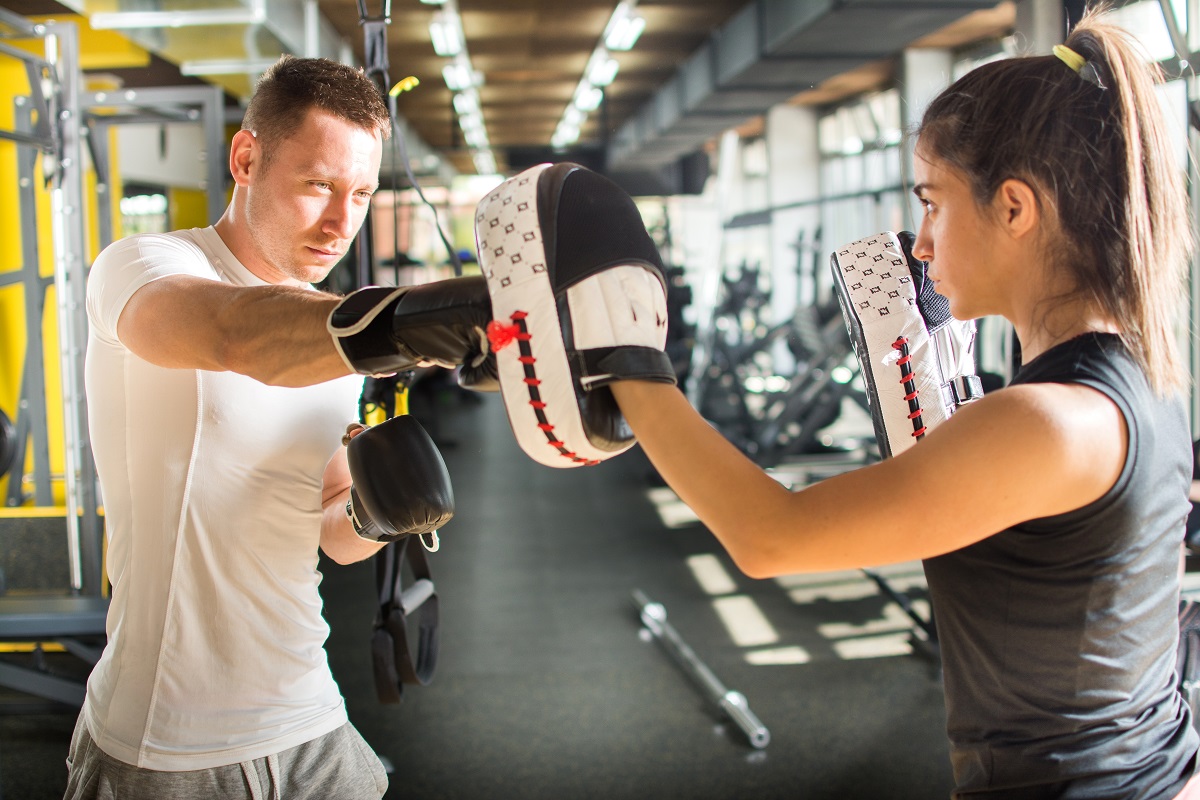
{"type": "Point", "coordinates": [958, 239]}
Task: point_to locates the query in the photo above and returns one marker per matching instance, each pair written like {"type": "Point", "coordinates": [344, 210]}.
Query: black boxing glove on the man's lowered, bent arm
{"type": "Point", "coordinates": [401, 485]}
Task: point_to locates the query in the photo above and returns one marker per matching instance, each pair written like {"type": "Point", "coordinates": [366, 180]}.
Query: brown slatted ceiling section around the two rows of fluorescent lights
{"type": "Point", "coordinates": [532, 55]}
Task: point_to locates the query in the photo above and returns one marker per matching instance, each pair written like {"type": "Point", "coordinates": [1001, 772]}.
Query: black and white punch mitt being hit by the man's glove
{"type": "Point", "coordinates": [579, 302]}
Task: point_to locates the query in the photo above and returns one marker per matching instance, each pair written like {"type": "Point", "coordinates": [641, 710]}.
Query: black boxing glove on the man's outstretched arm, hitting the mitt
{"type": "Point", "coordinates": [382, 330]}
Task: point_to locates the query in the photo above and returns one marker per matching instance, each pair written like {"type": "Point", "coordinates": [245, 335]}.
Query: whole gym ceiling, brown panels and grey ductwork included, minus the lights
{"type": "Point", "coordinates": [700, 67]}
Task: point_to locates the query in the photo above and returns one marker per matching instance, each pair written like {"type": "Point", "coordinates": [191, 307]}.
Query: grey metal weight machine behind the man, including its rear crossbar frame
{"type": "Point", "coordinates": [57, 123]}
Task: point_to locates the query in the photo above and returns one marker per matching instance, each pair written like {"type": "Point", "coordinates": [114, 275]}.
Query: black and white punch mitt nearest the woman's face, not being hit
{"type": "Point", "coordinates": [917, 360]}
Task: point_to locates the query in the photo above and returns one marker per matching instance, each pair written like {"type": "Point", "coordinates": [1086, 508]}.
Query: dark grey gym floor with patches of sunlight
{"type": "Point", "coordinates": [548, 687]}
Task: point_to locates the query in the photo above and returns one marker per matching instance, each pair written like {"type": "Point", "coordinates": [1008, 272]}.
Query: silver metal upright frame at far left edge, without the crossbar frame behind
{"type": "Point", "coordinates": [53, 129]}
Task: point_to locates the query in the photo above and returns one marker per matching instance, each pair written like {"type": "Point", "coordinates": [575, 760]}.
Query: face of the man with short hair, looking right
{"type": "Point", "coordinates": [309, 201]}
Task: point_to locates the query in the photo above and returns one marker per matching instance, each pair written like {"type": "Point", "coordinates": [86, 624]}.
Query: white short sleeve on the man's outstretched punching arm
{"type": "Point", "coordinates": [129, 264]}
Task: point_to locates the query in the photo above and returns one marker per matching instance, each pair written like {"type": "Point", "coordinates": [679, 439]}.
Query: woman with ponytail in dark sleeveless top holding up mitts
{"type": "Point", "coordinates": [1049, 514]}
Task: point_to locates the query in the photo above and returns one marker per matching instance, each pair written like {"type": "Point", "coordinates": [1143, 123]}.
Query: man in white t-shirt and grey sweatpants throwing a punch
{"type": "Point", "coordinates": [218, 399]}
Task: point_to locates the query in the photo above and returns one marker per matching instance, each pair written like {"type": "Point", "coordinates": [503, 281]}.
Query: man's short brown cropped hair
{"type": "Point", "coordinates": [292, 87]}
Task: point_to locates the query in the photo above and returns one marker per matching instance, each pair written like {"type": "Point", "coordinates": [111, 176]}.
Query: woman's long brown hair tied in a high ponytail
{"type": "Point", "coordinates": [1095, 148]}
